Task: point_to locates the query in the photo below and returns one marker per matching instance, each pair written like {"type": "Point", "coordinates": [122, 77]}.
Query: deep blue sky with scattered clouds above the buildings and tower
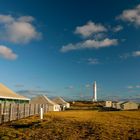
{"type": "Point", "coordinates": [59, 48]}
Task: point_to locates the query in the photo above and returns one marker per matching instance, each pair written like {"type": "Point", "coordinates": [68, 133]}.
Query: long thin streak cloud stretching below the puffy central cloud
{"type": "Point", "coordinates": [90, 44]}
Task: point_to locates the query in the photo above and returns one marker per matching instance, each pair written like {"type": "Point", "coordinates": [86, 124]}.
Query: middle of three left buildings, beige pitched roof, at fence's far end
{"type": "Point", "coordinates": [45, 100]}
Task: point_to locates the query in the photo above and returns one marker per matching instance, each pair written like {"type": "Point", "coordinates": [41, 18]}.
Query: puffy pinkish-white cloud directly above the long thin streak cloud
{"type": "Point", "coordinates": [89, 29]}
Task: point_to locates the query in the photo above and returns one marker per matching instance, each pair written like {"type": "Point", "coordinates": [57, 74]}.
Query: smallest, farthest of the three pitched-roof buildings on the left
{"type": "Point", "coordinates": [61, 102]}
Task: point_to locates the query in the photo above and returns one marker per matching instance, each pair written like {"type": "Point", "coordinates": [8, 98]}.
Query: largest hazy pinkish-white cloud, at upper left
{"type": "Point", "coordinates": [18, 30]}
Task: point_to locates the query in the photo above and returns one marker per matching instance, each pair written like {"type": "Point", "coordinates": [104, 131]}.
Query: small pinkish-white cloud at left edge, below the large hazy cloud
{"type": "Point", "coordinates": [7, 53]}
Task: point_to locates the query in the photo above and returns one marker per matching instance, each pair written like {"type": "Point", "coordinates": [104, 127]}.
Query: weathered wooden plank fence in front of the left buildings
{"type": "Point", "coordinates": [9, 112]}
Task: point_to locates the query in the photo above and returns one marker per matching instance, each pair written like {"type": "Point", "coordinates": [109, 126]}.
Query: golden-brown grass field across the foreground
{"type": "Point", "coordinates": [75, 125]}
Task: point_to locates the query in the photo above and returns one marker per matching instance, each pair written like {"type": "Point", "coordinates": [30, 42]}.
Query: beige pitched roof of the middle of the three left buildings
{"type": "Point", "coordinates": [42, 100]}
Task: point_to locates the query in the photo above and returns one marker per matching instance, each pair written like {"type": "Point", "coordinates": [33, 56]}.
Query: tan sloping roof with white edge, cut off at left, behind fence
{"type": "Point", "coordinates": [6, 93]}
